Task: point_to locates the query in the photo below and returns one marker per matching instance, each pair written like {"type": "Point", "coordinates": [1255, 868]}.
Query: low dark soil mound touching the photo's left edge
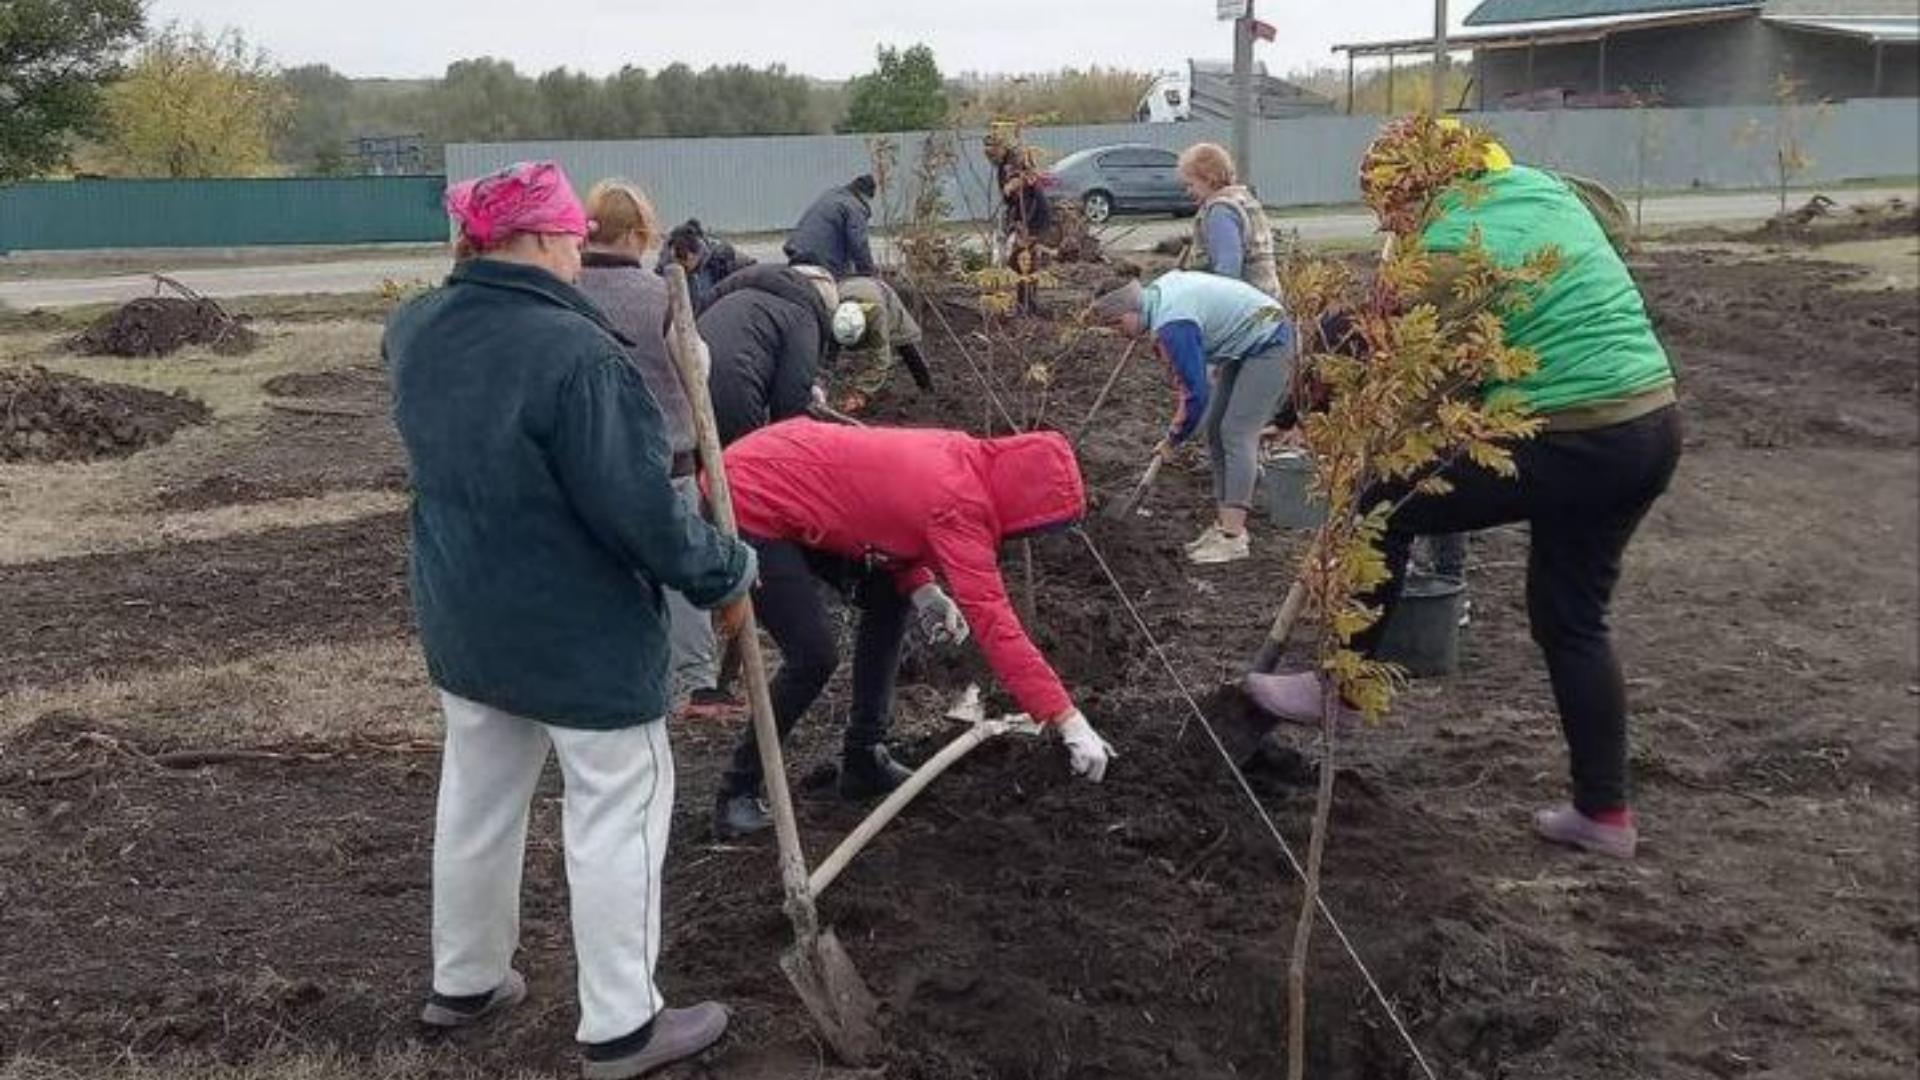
{"type": "Point", "coordinates": [62, 418]}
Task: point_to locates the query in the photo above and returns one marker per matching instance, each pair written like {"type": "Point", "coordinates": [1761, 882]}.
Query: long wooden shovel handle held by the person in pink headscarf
{"type": "Point", "coordinates": [688, 351]}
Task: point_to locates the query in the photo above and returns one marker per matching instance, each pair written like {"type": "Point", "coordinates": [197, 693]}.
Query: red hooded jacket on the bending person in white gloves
{"type": "Point", "coordinates": [928, 503]}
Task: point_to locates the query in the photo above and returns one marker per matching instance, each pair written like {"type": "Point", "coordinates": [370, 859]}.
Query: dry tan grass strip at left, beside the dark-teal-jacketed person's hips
{"type": "Point", "coordinates": [310, 695]}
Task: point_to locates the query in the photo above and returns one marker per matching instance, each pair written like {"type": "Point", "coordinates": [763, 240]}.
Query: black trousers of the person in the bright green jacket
{"type": "Point", "coordinates": [1583, 495]}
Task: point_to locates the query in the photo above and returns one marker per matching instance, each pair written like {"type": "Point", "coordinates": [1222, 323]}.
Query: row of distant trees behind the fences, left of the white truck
{"type": "Point", "coordinates": [89, 87]}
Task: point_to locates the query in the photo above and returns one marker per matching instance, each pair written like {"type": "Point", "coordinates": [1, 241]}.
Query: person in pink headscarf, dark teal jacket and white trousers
{"type": "Point", "coordinates": [544, 533]}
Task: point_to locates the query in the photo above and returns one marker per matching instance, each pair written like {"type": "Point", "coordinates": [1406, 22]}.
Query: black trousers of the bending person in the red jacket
{"type": "Point", "coordinates": [792, 604]}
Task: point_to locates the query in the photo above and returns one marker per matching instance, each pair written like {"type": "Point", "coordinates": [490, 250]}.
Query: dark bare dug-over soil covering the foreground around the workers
{"type": "Point", "coordinates": [1028, 927]}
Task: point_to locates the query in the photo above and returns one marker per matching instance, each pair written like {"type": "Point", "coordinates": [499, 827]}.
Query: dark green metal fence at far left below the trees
{"type": "Point", "coordinates": [220, 214]}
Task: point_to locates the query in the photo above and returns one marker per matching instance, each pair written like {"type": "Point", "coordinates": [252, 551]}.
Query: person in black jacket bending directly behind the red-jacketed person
{"type": "Point", "coordinates": [771, 333]}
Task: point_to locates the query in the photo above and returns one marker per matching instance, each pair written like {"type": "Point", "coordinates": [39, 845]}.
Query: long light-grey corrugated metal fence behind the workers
{"type": "Point", "coordinates": [765, 184]}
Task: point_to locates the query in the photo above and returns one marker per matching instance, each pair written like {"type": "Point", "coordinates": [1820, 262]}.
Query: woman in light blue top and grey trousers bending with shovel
{"type": "Point", "coordinates": [1232, 355]}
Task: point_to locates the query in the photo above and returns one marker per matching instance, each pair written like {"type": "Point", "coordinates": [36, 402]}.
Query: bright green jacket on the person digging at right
{"type": "Point", "coordinates": [1589, 324]}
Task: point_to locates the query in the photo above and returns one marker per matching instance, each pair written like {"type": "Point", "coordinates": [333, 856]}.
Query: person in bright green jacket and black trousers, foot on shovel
{"type": "Point", "coordinates": [1608, 453]}
